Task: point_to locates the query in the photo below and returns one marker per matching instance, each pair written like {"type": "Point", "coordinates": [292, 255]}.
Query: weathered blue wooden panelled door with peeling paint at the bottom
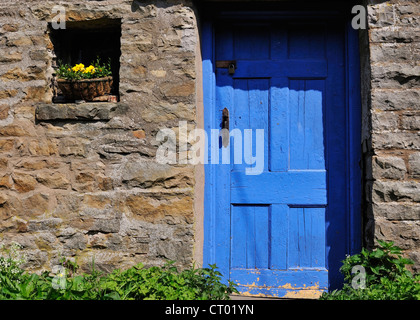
{"type": "Point", "coordinates": [279, 231]}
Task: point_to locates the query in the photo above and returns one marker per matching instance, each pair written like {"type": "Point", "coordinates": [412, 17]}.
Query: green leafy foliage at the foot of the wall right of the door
{"type": "Point", "coordinates": [386, 276]}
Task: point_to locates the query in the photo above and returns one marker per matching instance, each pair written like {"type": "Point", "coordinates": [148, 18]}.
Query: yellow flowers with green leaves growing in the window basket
{"type": "Point", "coordinates": [78, 72]}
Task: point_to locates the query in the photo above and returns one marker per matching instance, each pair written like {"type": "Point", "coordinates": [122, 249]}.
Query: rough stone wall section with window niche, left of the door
{"type": "Point", "coordinates": [81, 181]}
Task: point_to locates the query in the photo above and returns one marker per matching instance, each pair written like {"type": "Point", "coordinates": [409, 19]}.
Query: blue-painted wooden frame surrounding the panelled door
{"type": "Point", "coordinates": [212, 191]}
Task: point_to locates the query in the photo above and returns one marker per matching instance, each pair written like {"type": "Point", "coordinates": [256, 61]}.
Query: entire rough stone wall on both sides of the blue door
{"type": "Point", "coordinates": [82, 181]}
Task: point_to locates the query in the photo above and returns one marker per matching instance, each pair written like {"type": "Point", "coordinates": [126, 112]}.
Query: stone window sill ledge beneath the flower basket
{"type": "Point", "coordinates": [95, 111]}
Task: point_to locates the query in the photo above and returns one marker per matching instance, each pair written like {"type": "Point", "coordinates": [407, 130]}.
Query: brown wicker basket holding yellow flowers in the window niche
{"type": "Point", "coordinates": [86, 89]}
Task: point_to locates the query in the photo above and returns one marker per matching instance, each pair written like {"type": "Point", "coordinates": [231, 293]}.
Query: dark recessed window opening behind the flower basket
{"type": "Point", "coordinates": [85, 41]}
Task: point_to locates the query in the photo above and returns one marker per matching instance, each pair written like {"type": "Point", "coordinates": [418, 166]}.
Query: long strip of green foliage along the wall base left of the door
{"type": "Point", "coordinates": [136, 283]}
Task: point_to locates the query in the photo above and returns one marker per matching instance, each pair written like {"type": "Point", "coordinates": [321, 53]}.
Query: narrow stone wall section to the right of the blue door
{"type": "Point", "coordinates": [392, 141]}
